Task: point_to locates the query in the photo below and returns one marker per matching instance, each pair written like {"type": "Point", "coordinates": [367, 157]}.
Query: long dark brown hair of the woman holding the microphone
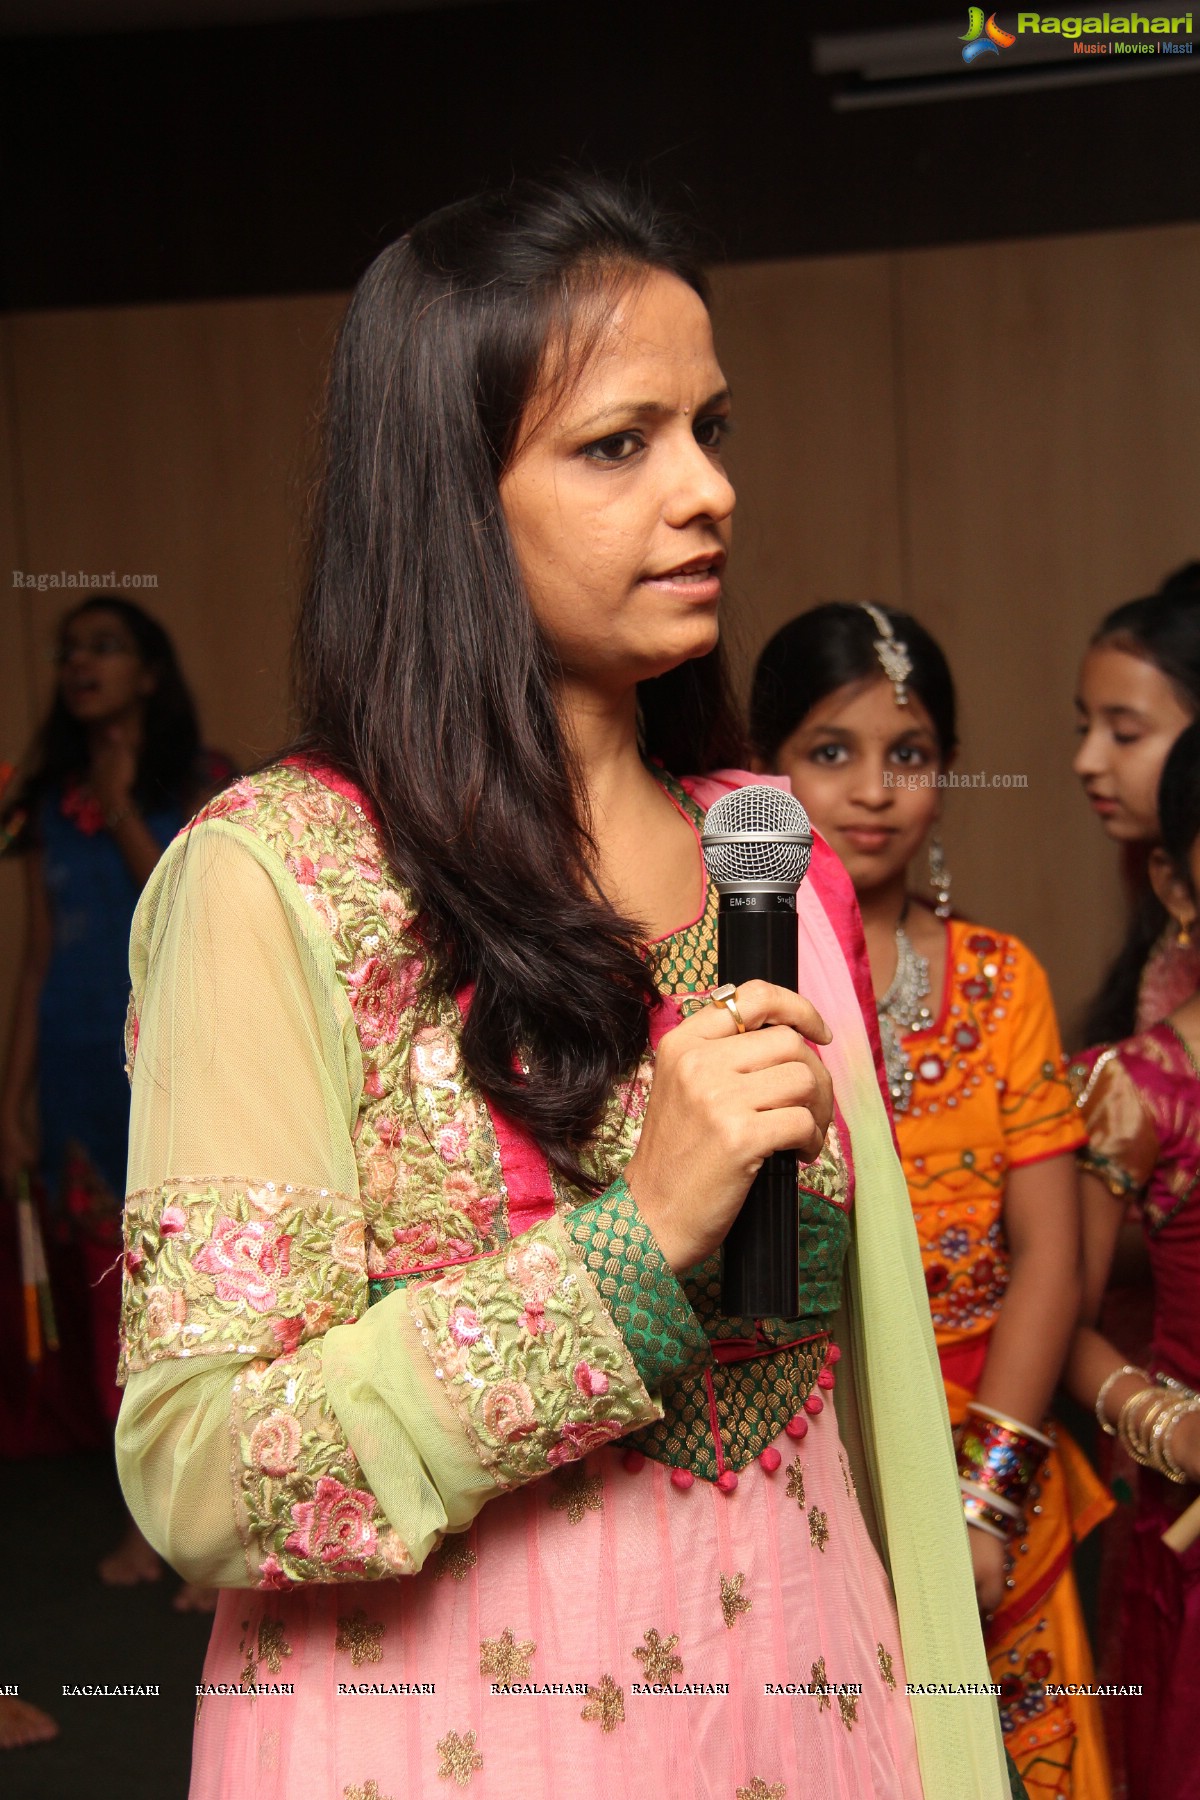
{"type": "Point", "coordinates": [422, 670]}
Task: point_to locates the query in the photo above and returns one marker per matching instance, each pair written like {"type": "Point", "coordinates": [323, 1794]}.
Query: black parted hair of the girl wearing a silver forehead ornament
{"type": "Point", "coordinates": [832, 647]}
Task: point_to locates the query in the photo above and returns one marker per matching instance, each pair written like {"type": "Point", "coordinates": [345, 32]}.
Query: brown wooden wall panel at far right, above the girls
{"type": "Point", "coordinates": [1050, 458]}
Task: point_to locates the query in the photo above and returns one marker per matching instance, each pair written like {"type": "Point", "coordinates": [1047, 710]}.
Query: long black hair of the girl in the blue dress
{"type": "Point", "coordinates": [168, 759]}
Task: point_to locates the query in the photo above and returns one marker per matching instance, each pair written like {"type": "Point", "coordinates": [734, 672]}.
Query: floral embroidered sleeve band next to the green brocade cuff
{"type": "Point", "coordinates": [530, 1358]}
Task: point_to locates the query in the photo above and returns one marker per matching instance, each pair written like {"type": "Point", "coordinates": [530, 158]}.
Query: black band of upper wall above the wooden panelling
{"type": "Point", "coordinates": [280, 157]}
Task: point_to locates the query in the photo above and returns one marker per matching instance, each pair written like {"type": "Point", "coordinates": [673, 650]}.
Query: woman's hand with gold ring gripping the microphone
{"type": "Point", "coordinates": [721, 1104]}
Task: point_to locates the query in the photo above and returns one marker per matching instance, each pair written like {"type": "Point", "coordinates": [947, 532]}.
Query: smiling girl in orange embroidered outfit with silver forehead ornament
{"type": "Point", "coordinates": [857, 706]}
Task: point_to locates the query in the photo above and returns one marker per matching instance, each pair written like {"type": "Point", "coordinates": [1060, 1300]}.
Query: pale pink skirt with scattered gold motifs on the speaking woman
{"type": "Point", "coordinates": [596, 1635]}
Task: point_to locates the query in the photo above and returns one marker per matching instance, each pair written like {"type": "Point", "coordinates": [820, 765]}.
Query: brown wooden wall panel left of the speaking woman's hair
{"type": "Point", "coordinates": [175, 442]}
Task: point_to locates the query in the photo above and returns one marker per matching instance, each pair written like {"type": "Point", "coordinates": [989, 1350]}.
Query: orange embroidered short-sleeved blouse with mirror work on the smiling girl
{"type": "Point", "coordinates": [990, 1093]}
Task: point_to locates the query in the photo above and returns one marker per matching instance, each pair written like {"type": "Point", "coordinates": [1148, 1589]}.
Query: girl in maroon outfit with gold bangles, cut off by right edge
{"type": "Point", "coordinates": [1142, 1101]}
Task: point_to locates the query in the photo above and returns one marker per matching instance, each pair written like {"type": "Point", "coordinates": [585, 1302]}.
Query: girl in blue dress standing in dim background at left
{"type": "Point", "coordinates": [116, 773]}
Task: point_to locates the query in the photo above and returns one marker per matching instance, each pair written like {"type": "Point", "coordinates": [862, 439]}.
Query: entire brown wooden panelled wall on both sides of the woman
{"type": "Point", "coordinates": [1005, 438]}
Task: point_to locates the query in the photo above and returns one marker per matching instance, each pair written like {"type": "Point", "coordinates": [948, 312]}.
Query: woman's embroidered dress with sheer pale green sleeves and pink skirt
{"type": "Point", "coordinates": [497, 1504]}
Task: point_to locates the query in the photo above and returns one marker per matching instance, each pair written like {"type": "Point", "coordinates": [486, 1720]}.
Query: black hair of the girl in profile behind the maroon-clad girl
{"type": "Point", "coordinates": [1161, 629]}
